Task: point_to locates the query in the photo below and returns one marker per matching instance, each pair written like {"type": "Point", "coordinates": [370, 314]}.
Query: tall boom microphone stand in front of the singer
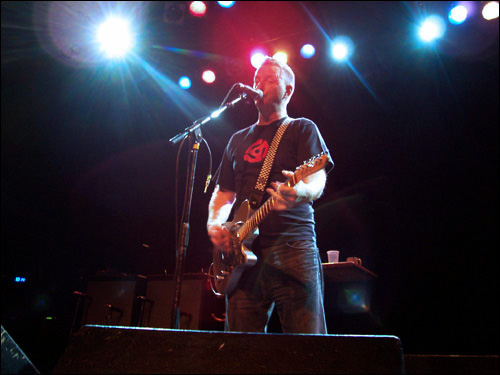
{"type": "Point", "coordinates": [193, 133]}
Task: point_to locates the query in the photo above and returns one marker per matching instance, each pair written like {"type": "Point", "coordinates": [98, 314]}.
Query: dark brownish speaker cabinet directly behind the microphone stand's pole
{"type": "Point", "coordinates": [199, 308]}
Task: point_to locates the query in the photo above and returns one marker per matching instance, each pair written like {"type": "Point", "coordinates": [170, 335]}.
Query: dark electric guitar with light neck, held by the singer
{"type": "Point", "coordinates": [227, 267]}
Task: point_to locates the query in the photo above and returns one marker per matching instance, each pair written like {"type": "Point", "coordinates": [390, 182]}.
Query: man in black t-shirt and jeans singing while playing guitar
{"type": "Point", "coordinates": [288, 272]}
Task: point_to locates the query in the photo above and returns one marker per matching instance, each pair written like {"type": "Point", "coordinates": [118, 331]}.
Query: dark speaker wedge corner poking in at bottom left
{"type": "Point", "coordinates": [14, 361]}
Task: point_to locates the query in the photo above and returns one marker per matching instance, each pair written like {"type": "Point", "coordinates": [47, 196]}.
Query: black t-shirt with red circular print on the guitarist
{"type": "Point", "coordinates": [241, 164]}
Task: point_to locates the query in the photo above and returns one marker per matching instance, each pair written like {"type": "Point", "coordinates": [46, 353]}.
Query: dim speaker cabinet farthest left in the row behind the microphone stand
{"type": "Point", "coordinates": [114, 300]}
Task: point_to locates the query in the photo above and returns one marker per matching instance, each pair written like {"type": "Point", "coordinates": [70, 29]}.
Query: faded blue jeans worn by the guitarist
{"type": "Point", "coordinates": [288, 277]}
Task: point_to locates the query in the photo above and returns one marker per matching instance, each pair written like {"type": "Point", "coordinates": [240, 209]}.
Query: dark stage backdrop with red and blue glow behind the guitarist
{"type": "Point", "coordinates": [88, 174]}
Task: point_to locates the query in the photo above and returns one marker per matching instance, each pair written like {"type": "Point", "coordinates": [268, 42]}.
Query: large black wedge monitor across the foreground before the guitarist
{"type": "Point", "coordinates": [120, 350]}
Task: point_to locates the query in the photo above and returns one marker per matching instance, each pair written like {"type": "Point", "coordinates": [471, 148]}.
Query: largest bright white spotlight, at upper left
{"type": "Point", "coordinates": [115, 37]}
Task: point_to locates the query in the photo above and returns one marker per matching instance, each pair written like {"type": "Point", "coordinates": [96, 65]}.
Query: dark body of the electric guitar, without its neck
{"type": "Point", "coordinates": [228, 267]}
